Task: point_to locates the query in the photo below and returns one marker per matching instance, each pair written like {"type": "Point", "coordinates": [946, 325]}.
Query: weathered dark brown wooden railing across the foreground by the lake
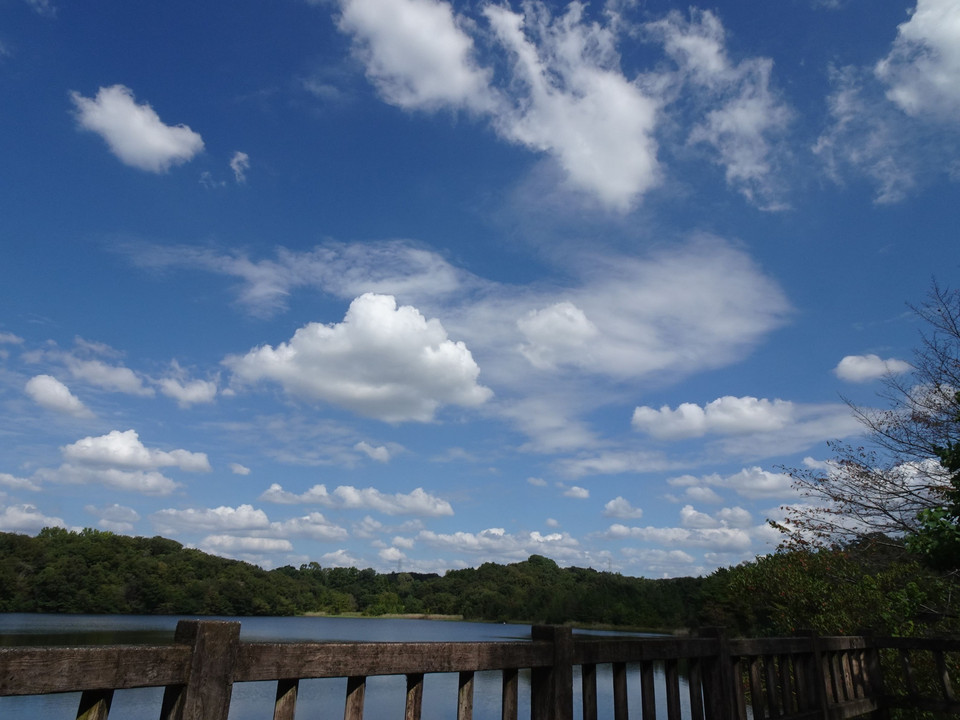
{"type": "Point", "coordinates": [800, 677]}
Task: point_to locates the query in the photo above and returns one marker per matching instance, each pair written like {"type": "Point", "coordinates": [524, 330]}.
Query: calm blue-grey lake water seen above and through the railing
{"type": "Point", "coordinates": [317, 698]}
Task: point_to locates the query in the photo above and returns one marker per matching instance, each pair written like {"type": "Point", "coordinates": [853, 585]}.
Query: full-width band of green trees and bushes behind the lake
{"type": "Point", "coordinates": [879, 586]}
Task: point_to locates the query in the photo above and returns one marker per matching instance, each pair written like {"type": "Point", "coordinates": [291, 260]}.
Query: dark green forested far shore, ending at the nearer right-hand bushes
{"type": "Point", "coordinates": [101, 572]}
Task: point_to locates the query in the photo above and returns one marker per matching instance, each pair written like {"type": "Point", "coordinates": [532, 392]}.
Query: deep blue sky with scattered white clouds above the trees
{"type": "Point", "coordinates": [417, 284]}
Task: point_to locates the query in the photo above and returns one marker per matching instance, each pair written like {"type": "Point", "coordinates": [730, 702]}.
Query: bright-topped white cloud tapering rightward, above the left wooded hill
{"type": "Point", "coordinates": [123, 450]}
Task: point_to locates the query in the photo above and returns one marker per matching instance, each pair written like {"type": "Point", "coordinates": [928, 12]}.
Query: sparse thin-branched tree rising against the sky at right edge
{"type": "Point", "coordinates": [905, 481]}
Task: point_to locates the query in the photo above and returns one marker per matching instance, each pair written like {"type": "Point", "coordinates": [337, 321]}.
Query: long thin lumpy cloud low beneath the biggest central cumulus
{"type": "Point", "coordinates": [418, 502]}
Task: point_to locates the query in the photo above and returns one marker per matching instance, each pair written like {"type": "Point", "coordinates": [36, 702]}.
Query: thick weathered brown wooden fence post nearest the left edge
{"type": "Point", "coordinates": [206, 696]}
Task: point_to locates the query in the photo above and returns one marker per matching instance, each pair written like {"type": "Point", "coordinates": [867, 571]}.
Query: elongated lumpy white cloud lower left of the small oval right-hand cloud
{"type": "Point", "coordinates": [726, 416]}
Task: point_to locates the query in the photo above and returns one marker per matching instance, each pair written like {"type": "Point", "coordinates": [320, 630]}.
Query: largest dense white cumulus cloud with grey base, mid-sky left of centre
{"type": "Point", "coordinates": [382, 361]}
